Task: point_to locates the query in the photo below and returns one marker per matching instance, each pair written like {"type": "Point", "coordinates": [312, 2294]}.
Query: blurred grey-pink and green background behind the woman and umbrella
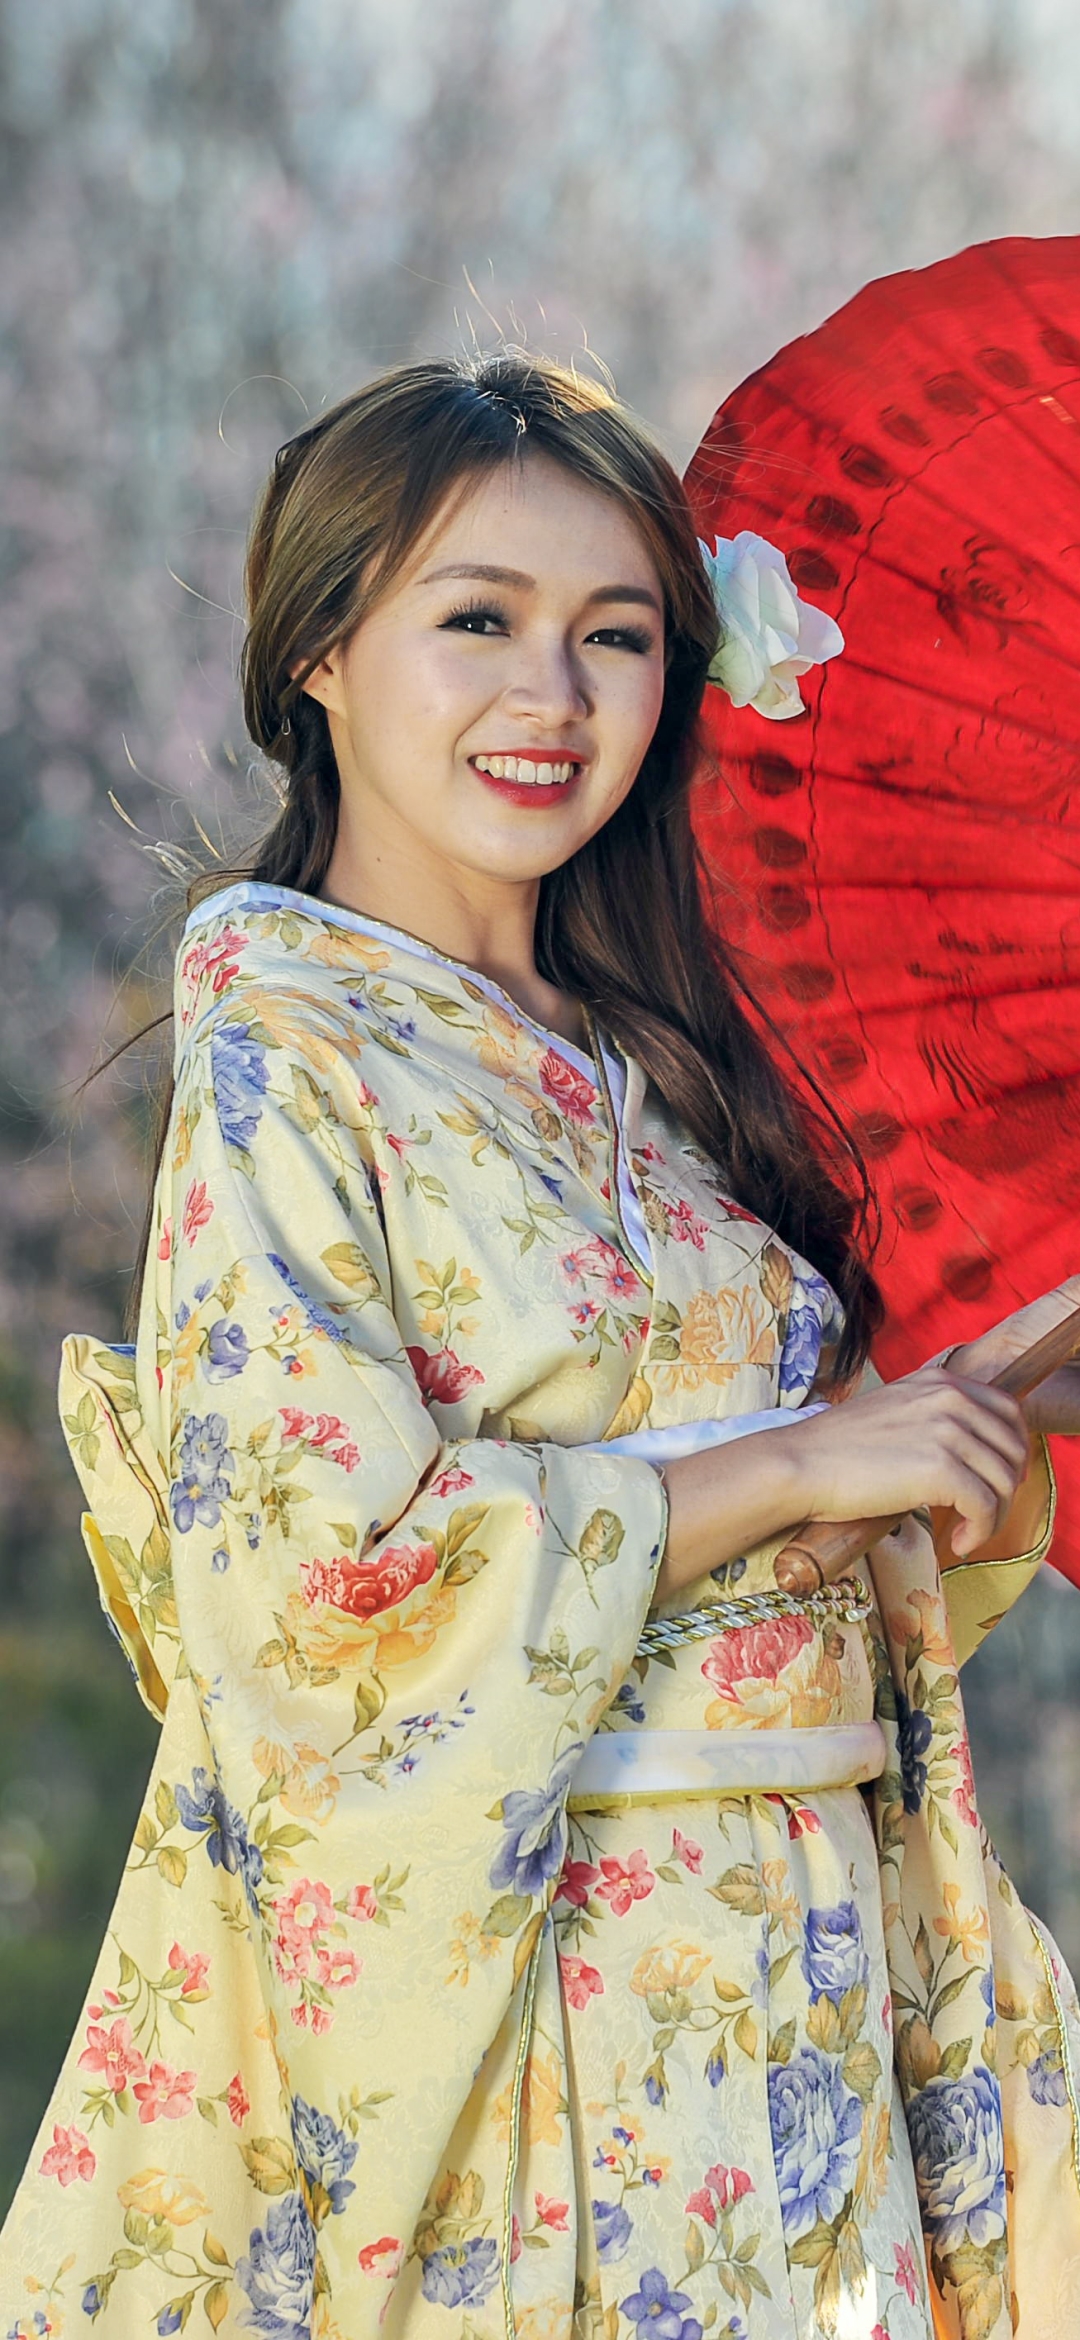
{"type": "Point", "coordinates": [219, 216]}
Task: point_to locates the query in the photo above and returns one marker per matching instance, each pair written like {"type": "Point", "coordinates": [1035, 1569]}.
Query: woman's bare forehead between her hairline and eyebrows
{"type": "Point", "coordinates": [544, 521]}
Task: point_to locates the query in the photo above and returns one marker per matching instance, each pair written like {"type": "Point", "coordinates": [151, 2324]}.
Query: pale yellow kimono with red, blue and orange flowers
{"type": "Point", "coordinates": [499, 1955]}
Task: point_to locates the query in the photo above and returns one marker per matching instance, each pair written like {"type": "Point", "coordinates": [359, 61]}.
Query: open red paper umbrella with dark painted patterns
{"type": "Point", "coordinates": [906, 858]}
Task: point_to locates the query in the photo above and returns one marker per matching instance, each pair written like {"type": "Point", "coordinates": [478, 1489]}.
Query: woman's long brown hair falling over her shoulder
{"type": "Point", "coordinates": [621, 925]}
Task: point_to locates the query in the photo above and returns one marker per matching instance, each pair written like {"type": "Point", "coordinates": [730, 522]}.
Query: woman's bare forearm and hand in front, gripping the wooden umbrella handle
{"type": "Point", "coordinates": [932, 1438]}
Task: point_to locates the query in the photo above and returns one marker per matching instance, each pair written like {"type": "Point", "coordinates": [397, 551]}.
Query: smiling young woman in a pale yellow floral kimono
{"type": "Point", "coordinates": [499, 1955]}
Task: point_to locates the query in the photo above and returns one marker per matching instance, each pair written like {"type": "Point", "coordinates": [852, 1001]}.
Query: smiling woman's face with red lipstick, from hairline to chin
{"type": "Point", "coordinates": [494, 708]}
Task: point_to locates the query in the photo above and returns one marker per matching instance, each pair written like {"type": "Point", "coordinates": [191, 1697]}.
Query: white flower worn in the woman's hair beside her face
{"type": "Point", "coordinates": [768, 633]}
